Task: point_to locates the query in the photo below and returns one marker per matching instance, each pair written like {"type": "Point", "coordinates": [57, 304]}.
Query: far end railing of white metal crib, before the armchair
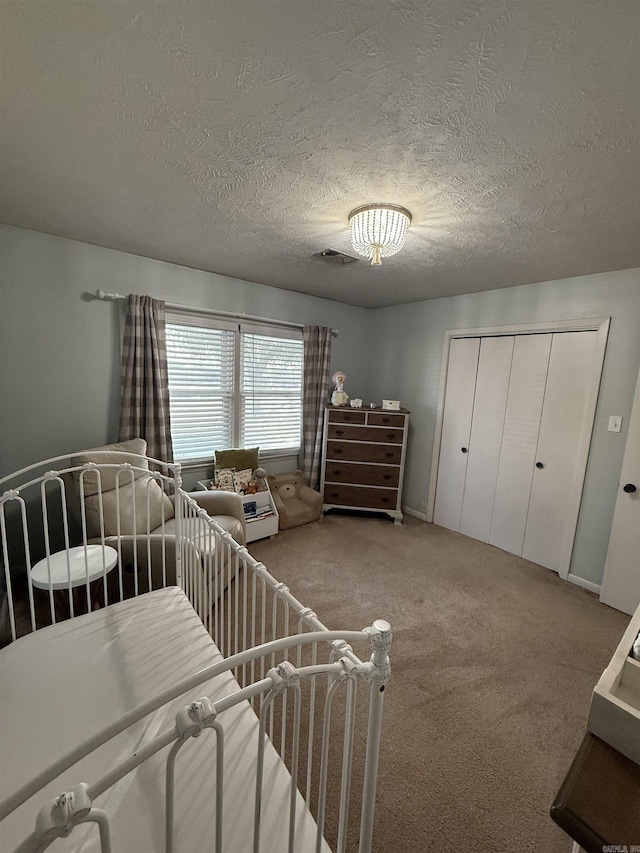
{"type": "Point", "coordinates": [60, 554]}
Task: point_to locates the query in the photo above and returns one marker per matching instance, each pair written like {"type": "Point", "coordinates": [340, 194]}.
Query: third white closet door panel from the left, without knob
{"type": "Point", "coordinates": [519, 441]}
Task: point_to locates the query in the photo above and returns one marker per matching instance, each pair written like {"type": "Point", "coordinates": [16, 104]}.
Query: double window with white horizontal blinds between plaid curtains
{"type": "Point", "coordinates": [233, 385]}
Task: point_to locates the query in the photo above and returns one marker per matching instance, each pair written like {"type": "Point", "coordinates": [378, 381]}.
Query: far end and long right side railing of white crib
{"type": "Point", "coordinates": [242, 605]}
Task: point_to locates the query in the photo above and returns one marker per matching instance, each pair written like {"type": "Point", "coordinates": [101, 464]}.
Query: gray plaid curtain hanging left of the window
{"type": "Point", "coordinates": [144, 408]}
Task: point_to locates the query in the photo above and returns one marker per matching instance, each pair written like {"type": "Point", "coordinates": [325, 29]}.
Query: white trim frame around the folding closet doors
{"type": "Point", "coordinates": [591, 324]}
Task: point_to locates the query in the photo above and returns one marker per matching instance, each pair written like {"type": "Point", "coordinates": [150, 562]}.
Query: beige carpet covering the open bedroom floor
{"type": "Point", "coordinates": [494, 660]}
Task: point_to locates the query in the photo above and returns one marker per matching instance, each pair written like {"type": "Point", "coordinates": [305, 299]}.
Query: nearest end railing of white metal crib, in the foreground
{"type": "Point", "coordinates": [59, 817]}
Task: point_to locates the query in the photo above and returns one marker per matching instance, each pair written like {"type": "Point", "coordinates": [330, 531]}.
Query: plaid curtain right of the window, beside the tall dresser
{"type": "Point", "coordinates": [317, 358]}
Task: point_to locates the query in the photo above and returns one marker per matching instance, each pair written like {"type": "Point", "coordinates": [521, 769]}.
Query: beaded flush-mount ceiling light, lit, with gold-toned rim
{"type": "Point", "coordinates": [378, 230]}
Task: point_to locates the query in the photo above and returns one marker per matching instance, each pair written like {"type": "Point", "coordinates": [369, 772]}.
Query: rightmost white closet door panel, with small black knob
{"type": "Point", "coordinates": [557, 485]}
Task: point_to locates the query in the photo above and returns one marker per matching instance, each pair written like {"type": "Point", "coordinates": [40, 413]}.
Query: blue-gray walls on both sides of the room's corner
{"type": "Point", "coordinates": [59, 354]}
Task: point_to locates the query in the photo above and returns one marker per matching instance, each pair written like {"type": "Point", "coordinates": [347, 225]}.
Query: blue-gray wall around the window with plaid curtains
{"type": "Point", "coordinates": [60, 347]}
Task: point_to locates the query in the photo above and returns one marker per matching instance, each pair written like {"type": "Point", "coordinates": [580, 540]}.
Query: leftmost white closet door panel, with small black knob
{"type": "Point", "coordinates": [456, 427]}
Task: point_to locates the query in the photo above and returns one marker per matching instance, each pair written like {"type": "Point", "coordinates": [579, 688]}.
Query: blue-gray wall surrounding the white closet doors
{"type": "Point", "coordinates": [408, 351]}
